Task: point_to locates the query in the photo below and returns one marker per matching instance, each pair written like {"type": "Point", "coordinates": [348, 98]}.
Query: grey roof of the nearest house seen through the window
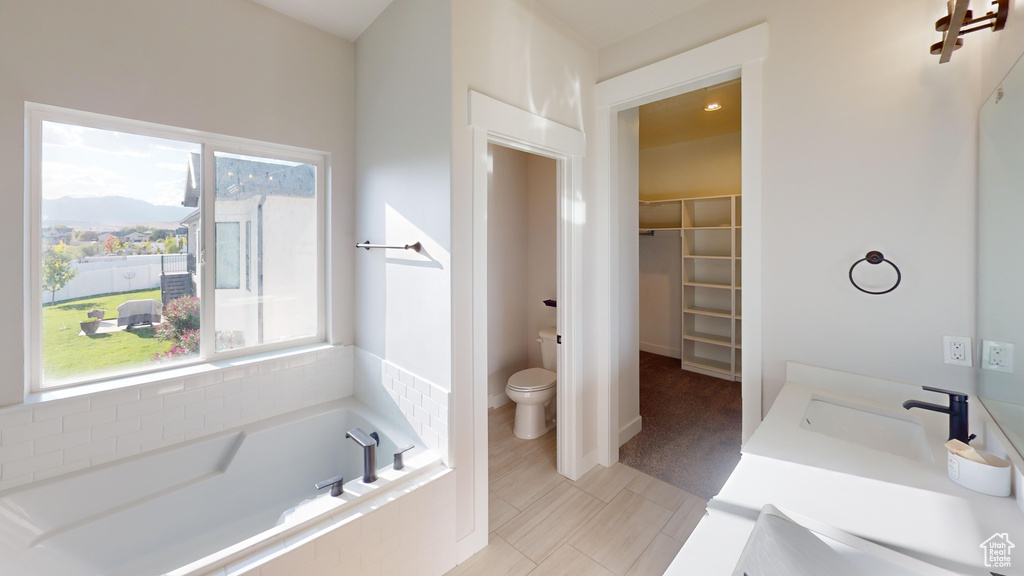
{"type": "Point", "coordinates": [239, 179]}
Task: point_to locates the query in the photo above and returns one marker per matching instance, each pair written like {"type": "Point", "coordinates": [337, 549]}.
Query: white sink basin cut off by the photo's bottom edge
{"type": "Point", "coordinates": [785, 545]}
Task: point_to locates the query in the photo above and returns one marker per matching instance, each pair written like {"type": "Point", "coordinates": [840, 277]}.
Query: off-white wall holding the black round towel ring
{"type": "Point", "coordinates": [880, 156]}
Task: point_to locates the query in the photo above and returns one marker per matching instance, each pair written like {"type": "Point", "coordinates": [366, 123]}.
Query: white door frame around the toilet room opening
{"type": "Point", "coordinates": [496, 122]}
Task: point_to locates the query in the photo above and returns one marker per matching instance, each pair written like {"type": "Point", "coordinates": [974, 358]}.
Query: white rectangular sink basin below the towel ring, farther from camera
{"type": "Point", "coordinates": [878, 429]}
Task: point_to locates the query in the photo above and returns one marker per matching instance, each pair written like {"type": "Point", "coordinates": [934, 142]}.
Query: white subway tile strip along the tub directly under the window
{"type": "Point", "coordinates": [48, 439]}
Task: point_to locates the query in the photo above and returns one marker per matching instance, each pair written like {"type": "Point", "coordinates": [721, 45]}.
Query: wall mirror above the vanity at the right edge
{"type": "Point", "coordinates": [1001, 256]}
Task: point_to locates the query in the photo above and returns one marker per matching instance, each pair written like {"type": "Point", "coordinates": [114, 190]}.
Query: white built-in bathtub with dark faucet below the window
{"type": "Point", "coordinates": [232, 499]}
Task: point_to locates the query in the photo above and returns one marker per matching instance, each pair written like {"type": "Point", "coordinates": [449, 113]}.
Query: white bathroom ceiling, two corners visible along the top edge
{"type": "Point", "coordinates": [600, 22]}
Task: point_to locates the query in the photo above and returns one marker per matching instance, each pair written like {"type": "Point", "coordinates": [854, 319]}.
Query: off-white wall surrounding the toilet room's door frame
{"type": "Point", "coordinates": [518, 54]}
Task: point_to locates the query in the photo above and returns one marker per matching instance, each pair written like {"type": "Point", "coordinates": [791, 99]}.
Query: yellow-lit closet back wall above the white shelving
{"type": "Point", "coordinates": [705, 168]}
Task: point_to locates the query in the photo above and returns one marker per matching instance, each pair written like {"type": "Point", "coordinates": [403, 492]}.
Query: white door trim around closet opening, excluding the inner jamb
{"type": "Point", "coordinates": [739, 56]}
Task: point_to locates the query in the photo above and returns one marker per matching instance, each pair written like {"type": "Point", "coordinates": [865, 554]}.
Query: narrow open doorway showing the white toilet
{"type": "Point", "coordinates": [523, 194]}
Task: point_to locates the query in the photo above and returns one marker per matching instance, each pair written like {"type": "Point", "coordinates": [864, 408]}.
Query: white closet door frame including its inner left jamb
{"type": "Point", "coordinates": [738, 57]}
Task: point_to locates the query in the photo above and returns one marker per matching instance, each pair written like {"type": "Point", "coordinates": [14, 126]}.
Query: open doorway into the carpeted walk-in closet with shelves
{"type": "Point", "coordinates": [690, 290]}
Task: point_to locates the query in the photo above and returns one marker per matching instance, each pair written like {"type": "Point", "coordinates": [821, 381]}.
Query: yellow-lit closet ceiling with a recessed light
{"type": "Point", "coordinates": [682, 118]}
